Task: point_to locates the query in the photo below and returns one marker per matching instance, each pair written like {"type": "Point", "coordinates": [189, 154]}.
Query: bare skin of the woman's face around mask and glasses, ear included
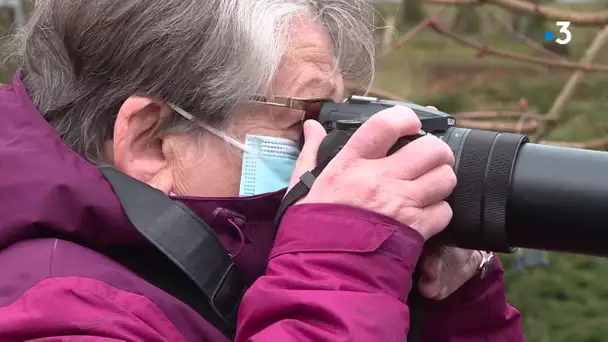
{"type": "Point", "coordinates": [206, 166]}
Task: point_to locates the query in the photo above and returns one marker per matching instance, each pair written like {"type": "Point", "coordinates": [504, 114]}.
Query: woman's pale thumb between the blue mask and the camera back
{"type": "Point", "coordinates": [314, 133]}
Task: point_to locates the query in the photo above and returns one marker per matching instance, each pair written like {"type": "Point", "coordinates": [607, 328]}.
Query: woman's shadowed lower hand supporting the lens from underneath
{"type": "Point", "coordinates": [446, 269]}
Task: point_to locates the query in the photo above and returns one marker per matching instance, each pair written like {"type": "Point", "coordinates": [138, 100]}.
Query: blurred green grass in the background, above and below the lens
{"type": "Point", "coordinates": [568, 301]}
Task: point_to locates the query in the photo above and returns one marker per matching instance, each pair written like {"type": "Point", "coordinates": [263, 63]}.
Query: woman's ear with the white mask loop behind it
{"type": "Point", "coordinates": [137, 150]}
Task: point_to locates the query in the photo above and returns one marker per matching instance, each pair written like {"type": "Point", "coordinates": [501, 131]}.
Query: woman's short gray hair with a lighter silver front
{"type": "Point", "coordinates": [84, 58]}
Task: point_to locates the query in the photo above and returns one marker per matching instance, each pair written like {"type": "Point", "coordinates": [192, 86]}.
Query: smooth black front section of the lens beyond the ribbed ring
{"type": "Point", "coordinates": [559, 200]}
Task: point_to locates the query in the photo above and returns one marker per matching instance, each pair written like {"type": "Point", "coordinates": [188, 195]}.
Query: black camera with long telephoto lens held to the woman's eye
{"type": "Point", "coordinates": [510, 192]}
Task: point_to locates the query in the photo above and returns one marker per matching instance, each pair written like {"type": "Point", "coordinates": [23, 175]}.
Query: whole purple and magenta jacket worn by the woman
{"type": "Point", "coordinates": [334, 273]}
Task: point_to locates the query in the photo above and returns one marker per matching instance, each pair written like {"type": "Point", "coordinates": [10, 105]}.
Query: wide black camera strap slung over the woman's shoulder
{"type": "Point", "coordinates": [191, 264]}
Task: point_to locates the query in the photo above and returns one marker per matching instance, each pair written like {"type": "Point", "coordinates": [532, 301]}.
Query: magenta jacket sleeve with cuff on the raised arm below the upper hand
{"type": "Point", "coordinates": [336, 273]}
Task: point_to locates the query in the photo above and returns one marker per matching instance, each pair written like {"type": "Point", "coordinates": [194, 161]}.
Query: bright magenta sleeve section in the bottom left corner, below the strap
{"type": "Point", "coordinates": [83, 309]}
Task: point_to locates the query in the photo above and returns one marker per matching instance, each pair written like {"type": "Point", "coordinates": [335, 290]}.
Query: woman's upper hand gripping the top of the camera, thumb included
{"type": "Point", "coordinates": [410, 185]}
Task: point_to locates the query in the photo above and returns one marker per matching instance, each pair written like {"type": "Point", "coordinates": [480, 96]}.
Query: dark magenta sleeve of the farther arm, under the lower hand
{"type": "Point", "coordinates": [477, 312]}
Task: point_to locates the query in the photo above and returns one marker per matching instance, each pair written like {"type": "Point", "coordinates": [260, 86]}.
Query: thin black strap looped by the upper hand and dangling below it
{"type": "Point", "coordinates": [328, 149]}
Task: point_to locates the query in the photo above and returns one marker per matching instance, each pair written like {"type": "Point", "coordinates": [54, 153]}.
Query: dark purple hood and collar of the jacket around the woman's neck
{"type": "Point", "coordinates": [48, 189]}
